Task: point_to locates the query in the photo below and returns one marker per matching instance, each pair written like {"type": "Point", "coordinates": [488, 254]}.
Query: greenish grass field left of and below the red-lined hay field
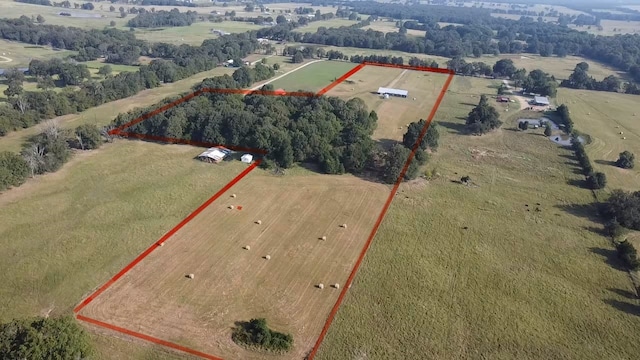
{"type": "Point", "coordinates": [63, 234]}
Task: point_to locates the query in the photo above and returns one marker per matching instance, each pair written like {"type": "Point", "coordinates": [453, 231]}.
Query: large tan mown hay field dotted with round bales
{"type": "Point", "coordinates": [232, 284]}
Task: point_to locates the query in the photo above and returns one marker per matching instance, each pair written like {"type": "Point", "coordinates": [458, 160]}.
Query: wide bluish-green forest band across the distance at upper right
{"type": "Point", "coordinates": [474, 37]}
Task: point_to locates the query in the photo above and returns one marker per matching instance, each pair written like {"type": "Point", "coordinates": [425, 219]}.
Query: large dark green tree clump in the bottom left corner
{"type": "Point", "coordinates": [44, 338]}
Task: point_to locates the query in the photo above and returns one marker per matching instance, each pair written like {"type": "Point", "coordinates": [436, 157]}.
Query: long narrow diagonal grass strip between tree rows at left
{"type": "Point", "coordinates": [104, 114]}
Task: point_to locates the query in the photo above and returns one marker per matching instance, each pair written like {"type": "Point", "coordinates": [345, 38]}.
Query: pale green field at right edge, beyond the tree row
{"type": "Point", "coordinates": [603, 116]}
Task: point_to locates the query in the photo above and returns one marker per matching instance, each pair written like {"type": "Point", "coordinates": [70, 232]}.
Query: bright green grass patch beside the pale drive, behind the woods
{"type": "Point", "coordinates": [313, 77]}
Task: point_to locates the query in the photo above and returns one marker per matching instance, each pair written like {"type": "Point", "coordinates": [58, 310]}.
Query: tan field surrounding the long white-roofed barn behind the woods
{"type": "Point", "coordinates": [394, 113]}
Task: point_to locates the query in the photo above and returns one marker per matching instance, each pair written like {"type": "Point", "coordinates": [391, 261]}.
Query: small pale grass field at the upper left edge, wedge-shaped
{"type": "Point", "coordinates": [21, 54]}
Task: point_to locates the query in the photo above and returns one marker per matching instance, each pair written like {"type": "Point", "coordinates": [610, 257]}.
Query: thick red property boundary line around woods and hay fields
{"type": "Point", "coordinates": [120, 132]}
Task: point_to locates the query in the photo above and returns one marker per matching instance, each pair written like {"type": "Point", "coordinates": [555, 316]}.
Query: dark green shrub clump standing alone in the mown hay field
{"type": "Point", "coordinates": [256, 334]}
